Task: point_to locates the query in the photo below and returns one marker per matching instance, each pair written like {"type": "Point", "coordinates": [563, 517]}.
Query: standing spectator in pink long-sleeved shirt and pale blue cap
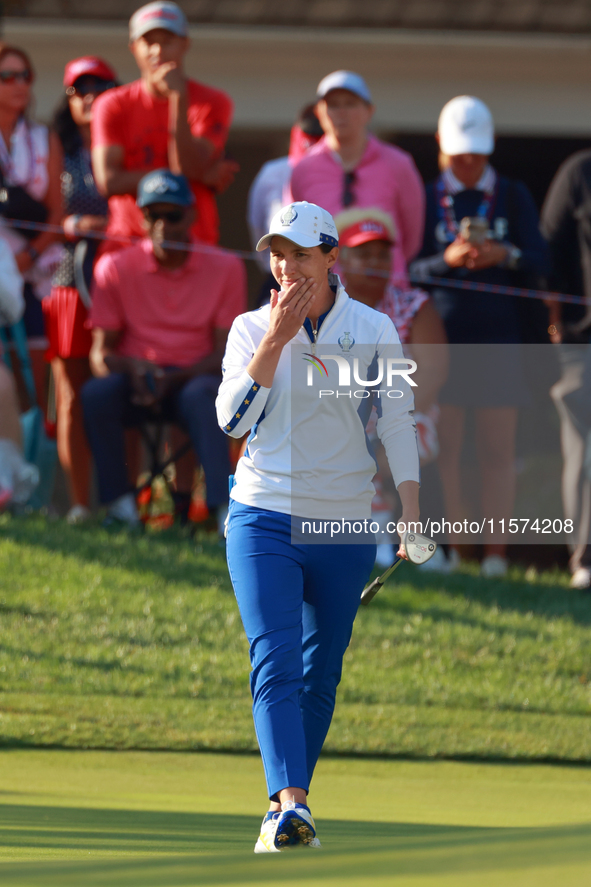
{"type": "Point", "coordinates": [349, 167]}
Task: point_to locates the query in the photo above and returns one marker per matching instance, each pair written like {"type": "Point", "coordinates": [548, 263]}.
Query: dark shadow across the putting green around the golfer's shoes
{"type": "Point", "coordinates": [200, 848]}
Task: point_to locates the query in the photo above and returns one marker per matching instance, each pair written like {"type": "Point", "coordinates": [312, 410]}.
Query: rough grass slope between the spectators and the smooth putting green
{"type": "Point", "coordinates": [111, 641]}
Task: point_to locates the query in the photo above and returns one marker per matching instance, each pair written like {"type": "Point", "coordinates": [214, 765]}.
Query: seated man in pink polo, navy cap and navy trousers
{"type": "Point", "coordinates": [160, 318]}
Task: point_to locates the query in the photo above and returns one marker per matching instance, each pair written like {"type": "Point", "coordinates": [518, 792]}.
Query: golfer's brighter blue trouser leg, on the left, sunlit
{"type": "Point", "coordinates": [267, 576]}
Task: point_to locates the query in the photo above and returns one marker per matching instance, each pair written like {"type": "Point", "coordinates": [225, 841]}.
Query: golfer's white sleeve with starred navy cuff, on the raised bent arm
{"type": "Point", "coordinates": [241, 400]}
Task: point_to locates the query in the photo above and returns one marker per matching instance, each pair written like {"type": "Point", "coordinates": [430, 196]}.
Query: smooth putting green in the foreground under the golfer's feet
{"type": "Point", "coordinates": [107, 819]}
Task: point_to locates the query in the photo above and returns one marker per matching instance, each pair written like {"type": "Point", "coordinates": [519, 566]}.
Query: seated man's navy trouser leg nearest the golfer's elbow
{"type": "Point", "coordinates": [195, 406]}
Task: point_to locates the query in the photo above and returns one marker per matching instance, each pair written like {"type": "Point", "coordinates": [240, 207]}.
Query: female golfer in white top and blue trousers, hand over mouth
{"type": "Point", "coordinates": [306, 470]}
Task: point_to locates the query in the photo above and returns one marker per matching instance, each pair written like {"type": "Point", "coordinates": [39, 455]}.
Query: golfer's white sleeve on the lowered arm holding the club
{"type": "Point", "coordinates": [396, 424]}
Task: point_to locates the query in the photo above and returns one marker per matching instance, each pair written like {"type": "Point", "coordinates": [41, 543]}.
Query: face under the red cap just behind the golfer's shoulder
{"type": "Point", "coordinates": [367, 268]}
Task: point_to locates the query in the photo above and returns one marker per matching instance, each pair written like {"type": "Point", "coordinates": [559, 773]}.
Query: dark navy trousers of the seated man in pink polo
{"type": "Point", "coordinates": [108, 410]}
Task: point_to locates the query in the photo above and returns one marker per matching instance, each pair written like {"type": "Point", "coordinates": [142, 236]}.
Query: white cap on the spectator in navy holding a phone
{"type": "Point", "coordinates": [466, 127]}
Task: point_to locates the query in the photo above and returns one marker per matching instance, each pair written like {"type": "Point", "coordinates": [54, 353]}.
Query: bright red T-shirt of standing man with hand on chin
{"type": "Point", "coordinates": [129, 116]}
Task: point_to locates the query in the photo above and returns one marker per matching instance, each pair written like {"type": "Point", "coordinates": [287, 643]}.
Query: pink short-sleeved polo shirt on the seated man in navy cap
{"type": "Point", "coordinates": [167, 316]}
